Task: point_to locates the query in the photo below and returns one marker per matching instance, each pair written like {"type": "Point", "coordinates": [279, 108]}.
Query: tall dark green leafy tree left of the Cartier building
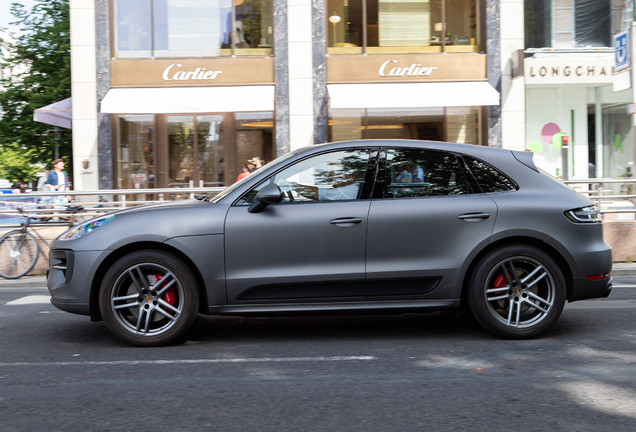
{"type": "Point", "coordinates": [45, 47]}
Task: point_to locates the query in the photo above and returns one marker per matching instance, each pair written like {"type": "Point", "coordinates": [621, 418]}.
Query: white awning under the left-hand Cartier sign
{"type": "Point", "coordinates": [175, 100]}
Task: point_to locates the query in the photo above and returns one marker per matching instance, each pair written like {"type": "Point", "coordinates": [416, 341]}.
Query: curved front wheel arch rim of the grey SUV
{"type": "Point", "coordinates": [134, 247]}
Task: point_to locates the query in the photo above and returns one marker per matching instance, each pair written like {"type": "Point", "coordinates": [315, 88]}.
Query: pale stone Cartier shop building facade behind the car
{"type": "Point", "coordinates": [168, 93]}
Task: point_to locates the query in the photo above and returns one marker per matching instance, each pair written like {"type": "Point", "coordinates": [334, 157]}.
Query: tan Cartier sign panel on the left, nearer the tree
{"type": "Point", "coordinates": [192, 72]}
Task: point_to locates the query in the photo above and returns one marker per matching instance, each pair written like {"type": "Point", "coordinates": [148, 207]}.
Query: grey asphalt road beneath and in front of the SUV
{"type": "Point", "coordinates": [411, 372]}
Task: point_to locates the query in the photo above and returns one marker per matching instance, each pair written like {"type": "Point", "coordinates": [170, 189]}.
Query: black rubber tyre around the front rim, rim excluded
{"type": "Point", "coordinates": [174, 265]}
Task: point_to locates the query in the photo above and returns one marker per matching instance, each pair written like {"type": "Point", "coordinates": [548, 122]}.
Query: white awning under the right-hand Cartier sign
{"type": "Point", "coordinates": [412, 95]}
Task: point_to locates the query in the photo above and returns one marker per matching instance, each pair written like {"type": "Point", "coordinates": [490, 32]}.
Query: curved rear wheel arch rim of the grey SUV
{"type": "Point", "coordinates": [519, 240]}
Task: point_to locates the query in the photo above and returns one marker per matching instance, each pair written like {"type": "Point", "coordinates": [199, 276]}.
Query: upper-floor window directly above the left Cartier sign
{"type": "Point", "coordinates": [192, 28]}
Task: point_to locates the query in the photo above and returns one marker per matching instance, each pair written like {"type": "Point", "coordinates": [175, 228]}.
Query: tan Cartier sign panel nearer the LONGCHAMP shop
{"type": "Point", "coordinates": [406, 68]}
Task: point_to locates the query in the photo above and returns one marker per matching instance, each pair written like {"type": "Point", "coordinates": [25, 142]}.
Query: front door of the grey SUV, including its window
{"type": "Point", "coordinates": [311, 246]}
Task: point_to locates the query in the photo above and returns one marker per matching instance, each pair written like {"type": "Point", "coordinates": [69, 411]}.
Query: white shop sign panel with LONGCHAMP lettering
{"type": "Point", "coordinates": [584, 70]}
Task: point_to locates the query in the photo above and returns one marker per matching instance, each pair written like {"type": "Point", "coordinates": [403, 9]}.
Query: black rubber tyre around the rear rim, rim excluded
{"type": "Point", "coordinates": [479, 307]}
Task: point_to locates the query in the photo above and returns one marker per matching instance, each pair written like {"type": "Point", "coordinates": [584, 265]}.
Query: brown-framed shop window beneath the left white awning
{"type": "Point", "coordinates": [202, 150]}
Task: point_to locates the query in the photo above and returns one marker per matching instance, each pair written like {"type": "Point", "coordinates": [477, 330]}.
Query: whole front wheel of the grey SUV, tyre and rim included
{"type": "Point", "coordinates": [149, 298]}
